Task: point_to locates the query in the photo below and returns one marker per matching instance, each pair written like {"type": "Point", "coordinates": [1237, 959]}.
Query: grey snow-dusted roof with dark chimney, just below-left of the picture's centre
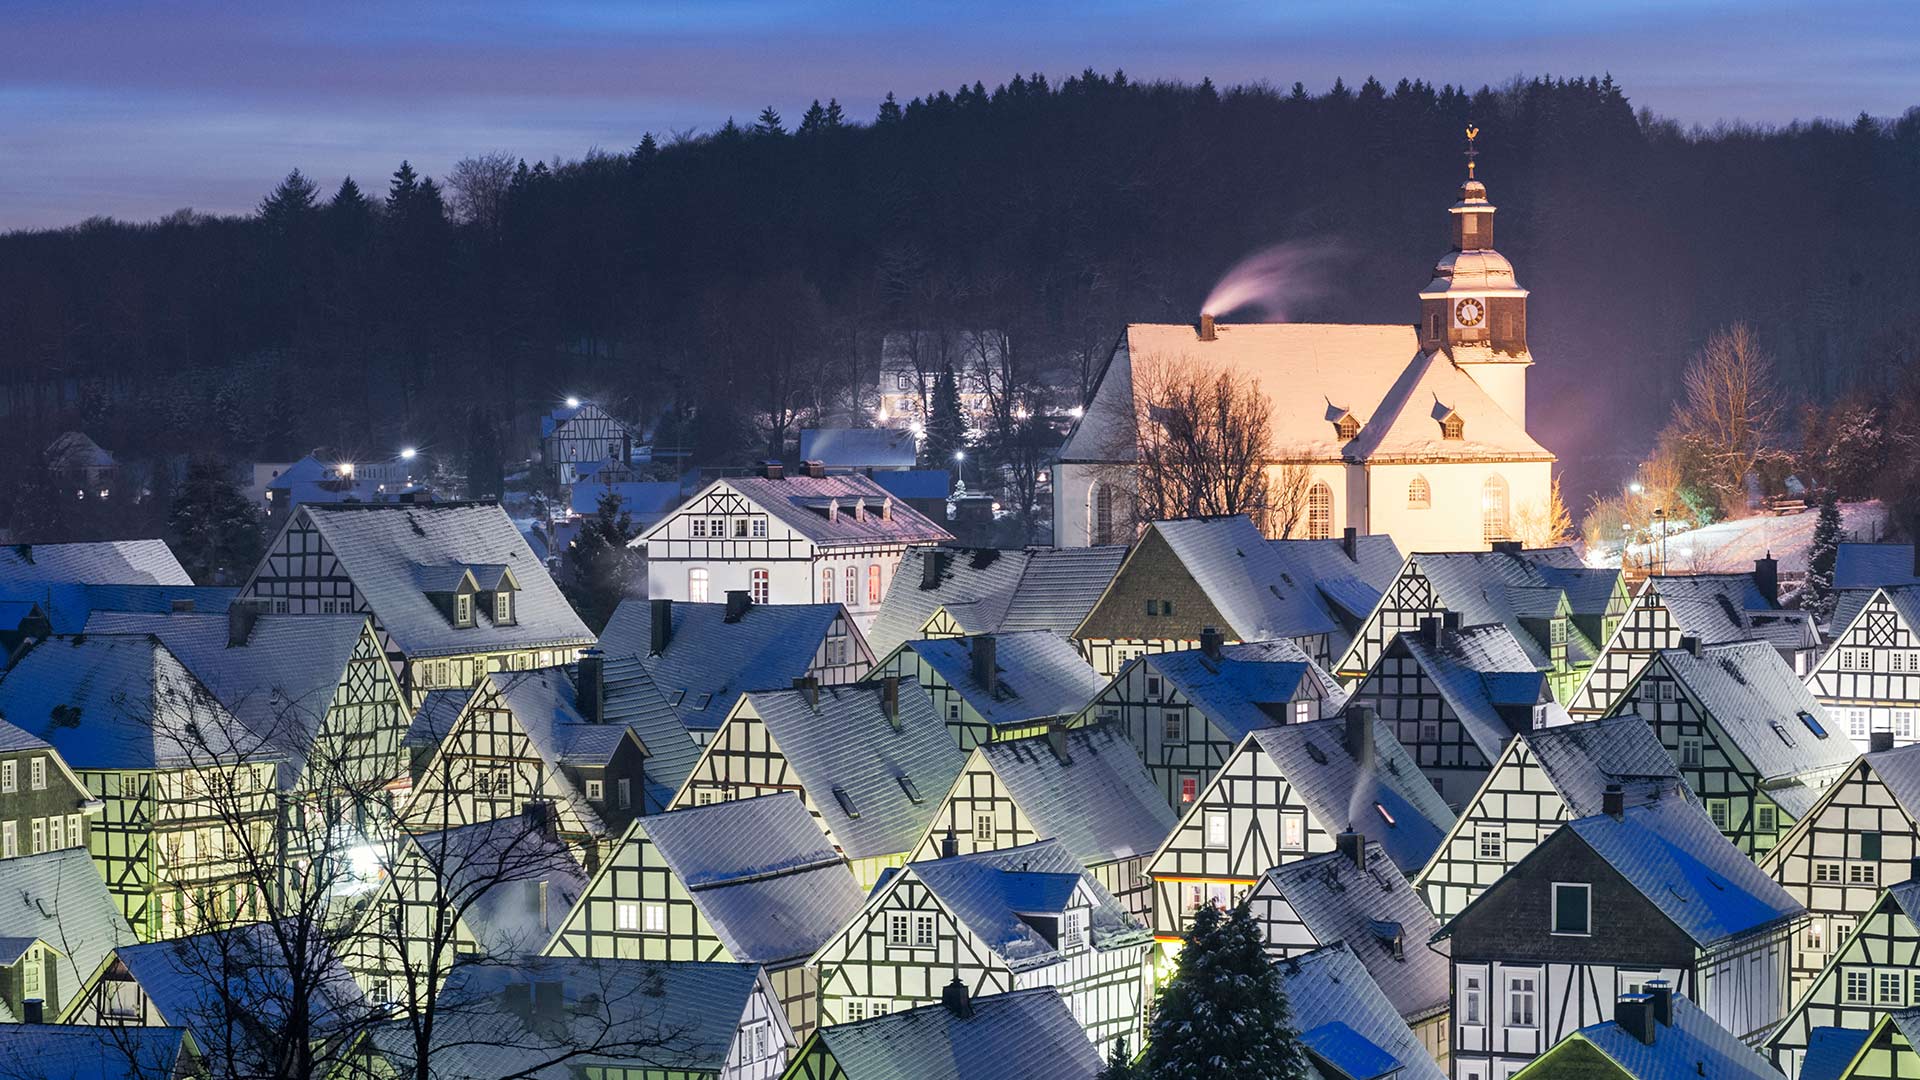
{"type": "Point", "coordinates": [848, 754]}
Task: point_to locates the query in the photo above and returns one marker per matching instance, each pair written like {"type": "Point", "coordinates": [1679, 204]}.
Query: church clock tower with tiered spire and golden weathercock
{"type": "Point", "coordinates": [1474, 308]}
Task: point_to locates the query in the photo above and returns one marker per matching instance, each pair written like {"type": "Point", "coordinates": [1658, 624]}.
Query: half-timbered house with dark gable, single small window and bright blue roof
{"type": "Point", "coordinates": [1602, 908]}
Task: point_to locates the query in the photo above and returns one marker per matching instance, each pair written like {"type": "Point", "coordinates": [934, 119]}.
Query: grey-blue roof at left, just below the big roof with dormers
{"type": "Point", "coordinates": [281, 683]}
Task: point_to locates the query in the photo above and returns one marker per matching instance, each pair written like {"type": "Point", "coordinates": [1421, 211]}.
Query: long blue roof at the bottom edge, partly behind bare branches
{"type": "Point", "coordinates": [671, 1018]}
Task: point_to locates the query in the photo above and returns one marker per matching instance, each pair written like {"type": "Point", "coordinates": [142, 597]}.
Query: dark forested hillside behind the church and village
{"type": "Point", "coordinates": [748, 274]}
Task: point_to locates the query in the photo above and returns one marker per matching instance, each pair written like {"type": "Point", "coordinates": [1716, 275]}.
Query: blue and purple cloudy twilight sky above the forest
{"type": "Point", "coordinates": [135, 110]}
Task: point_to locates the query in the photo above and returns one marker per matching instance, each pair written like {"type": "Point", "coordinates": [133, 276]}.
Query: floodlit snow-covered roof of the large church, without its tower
{"type": "Point", "coordinates": [1308, 370]}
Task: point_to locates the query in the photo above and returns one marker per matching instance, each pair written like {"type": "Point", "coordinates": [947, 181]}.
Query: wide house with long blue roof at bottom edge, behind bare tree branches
{"type": "Point", "coordinates": [594, 1019]}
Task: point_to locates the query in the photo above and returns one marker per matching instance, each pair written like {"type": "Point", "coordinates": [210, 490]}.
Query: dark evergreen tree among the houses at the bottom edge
{"type": "Point", "coordinates": [1224, 1014]}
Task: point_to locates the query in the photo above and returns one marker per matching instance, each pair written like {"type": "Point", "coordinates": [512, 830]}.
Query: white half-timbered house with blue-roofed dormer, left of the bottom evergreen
{"type": "Point", "coordinates": [997, 921]}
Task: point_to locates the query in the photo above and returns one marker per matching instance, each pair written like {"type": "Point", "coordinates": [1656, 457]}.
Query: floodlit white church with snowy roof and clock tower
{"type": "Point", "coordinates": [1418, 431]}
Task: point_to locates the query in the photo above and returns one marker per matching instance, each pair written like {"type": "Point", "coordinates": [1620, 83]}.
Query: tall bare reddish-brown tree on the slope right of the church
{"type": "Point", "coordinates": [1731, 410]}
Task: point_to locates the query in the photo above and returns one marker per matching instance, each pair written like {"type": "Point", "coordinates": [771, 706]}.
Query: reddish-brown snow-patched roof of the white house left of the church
{"type": "Point", "coordinates": [804, 504]}
